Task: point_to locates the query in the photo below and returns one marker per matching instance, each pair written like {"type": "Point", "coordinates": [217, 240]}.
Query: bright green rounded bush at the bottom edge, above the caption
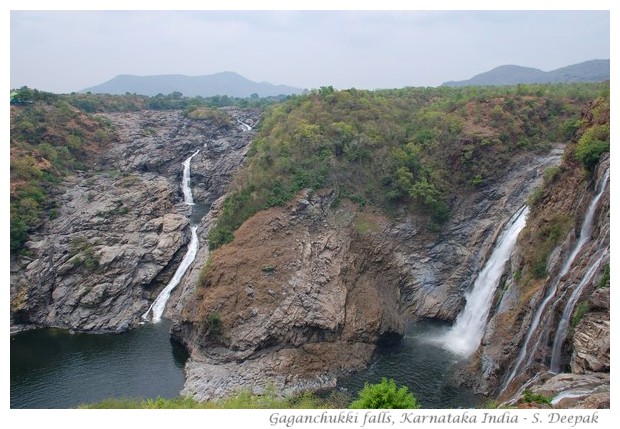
{"type": "Point", "coordinates": [385, 395]}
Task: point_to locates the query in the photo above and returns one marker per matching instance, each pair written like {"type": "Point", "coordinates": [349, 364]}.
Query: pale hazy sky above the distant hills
{"type": "Point", "coordinates": [65, 51]}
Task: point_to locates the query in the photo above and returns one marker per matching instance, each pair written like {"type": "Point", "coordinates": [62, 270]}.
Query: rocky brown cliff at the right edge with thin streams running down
{"type": "Point", "coordinates": [538, 337]}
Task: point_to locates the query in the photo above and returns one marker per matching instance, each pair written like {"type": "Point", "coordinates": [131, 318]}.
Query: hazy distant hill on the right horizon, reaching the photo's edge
{"type": "Point", "coordinates": [588, 71]}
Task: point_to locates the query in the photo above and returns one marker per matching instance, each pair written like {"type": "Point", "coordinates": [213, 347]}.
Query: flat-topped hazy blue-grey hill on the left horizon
{"type": "Point", "coordinates": [225, 83]}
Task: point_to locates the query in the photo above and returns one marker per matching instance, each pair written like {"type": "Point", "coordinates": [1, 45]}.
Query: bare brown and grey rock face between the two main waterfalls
{"type": "Point", "coordinates": [303, 286]}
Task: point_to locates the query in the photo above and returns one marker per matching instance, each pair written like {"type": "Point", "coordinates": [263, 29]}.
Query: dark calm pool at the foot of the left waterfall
{"type": "Point", "coordinates": [51, 368]}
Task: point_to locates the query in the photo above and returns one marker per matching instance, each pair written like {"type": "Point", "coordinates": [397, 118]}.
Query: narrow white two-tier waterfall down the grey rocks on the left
{"type": "Point", "coordinates": [158, 306]}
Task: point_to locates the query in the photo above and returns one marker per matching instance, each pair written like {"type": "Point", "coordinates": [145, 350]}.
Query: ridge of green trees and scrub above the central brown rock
{"type": "Point", "coordinates": [406, 150]}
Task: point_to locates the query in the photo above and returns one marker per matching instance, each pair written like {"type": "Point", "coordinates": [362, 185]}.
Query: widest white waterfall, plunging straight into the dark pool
{"type": "Point", "coordinates": [465, 335]}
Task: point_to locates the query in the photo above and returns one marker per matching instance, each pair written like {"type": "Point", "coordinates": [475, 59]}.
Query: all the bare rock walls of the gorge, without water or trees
{"type": "Point", "coordinates": [306, 292]}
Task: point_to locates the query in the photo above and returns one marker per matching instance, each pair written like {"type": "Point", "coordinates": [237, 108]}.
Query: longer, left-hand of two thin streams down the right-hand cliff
{"type": "Point", "coordinates": [584, 236]}
